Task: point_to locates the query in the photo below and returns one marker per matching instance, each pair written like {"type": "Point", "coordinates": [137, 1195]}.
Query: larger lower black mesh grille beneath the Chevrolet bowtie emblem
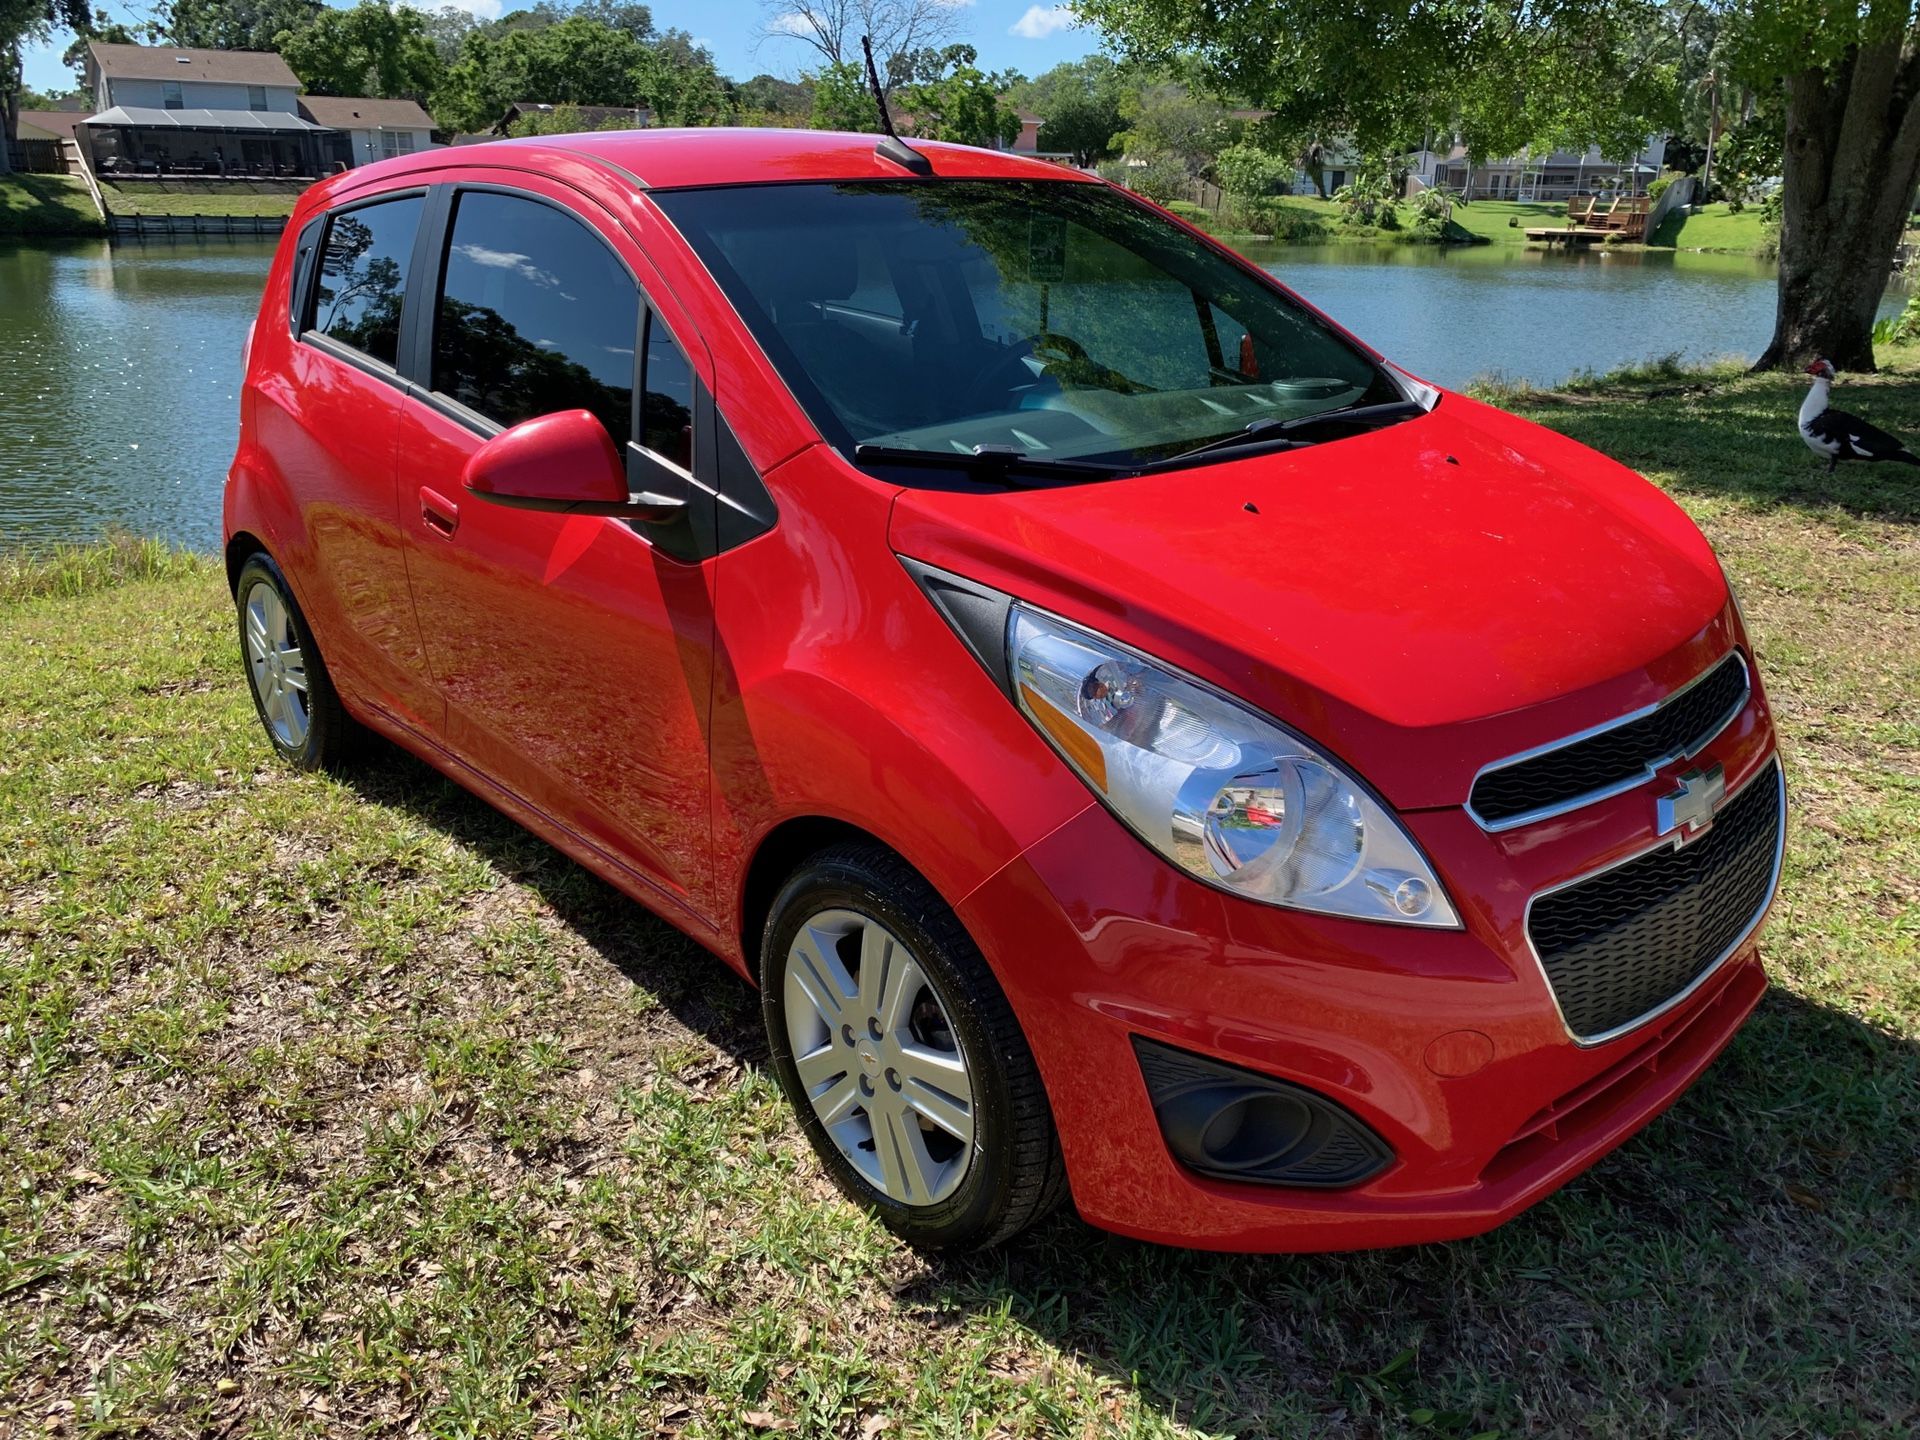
{"type": "Point", "coordinates": [1625, 942]}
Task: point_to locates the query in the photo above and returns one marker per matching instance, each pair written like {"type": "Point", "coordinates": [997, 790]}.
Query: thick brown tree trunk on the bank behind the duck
{"type": "Point", "coordinates": [1850, 168]}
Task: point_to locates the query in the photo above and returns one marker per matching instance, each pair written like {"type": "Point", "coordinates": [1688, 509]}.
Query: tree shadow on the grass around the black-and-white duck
{"type": "Point", "coordinates": [1739, 439]}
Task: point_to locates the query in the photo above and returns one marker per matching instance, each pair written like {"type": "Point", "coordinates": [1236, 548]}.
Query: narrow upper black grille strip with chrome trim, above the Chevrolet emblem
{"type": "Point", "coordinates": [1614, 757]}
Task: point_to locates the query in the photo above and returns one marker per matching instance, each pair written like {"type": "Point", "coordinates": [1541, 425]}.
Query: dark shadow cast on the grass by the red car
{"type": "Point", "coordinates": [1754, 1255]}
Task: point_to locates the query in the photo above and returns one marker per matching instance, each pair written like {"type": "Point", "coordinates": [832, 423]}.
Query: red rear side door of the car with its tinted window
{"type": "Point", "coordinates": [331, 420]}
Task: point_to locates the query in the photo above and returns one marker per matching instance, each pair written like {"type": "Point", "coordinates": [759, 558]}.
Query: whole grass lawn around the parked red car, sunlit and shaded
{"type": "Point", "coordinates": [347, 1107]}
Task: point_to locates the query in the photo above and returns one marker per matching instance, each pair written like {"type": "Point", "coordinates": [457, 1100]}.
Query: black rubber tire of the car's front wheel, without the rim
{"type": "Point", "coordinates": [1015, 1176]}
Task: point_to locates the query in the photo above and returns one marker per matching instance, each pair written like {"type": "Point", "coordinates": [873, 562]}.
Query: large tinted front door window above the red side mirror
{"type": "Point", "coordinates": [537, 316]}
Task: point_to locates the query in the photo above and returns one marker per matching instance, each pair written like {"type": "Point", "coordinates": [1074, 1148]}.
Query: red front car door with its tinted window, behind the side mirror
{"type": "Point", "coordinates": [575, 654]}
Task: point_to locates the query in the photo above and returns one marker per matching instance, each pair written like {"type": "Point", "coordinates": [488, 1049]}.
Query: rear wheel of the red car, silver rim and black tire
{"type": "Point", "coordinates": [293, 692]}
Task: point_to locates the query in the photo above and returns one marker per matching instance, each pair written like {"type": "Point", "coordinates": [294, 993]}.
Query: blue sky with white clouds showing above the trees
{"type": "Point", "coordinates": [1009, 36]}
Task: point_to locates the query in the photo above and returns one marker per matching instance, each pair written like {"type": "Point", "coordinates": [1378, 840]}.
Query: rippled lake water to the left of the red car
{"type": "Point", "coordinates": [120, 385]}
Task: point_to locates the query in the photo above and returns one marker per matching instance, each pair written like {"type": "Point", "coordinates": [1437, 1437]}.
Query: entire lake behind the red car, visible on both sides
{"type": "Point", "coordinates": [120, 366]}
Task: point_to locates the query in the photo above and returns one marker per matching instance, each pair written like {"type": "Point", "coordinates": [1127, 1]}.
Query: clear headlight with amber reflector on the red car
{"type": "Point", "coordinates": [1216, 788]}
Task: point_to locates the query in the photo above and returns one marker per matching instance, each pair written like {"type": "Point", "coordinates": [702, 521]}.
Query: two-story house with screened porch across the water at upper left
{"type": "Point", "coordinates": [166, 110]}
